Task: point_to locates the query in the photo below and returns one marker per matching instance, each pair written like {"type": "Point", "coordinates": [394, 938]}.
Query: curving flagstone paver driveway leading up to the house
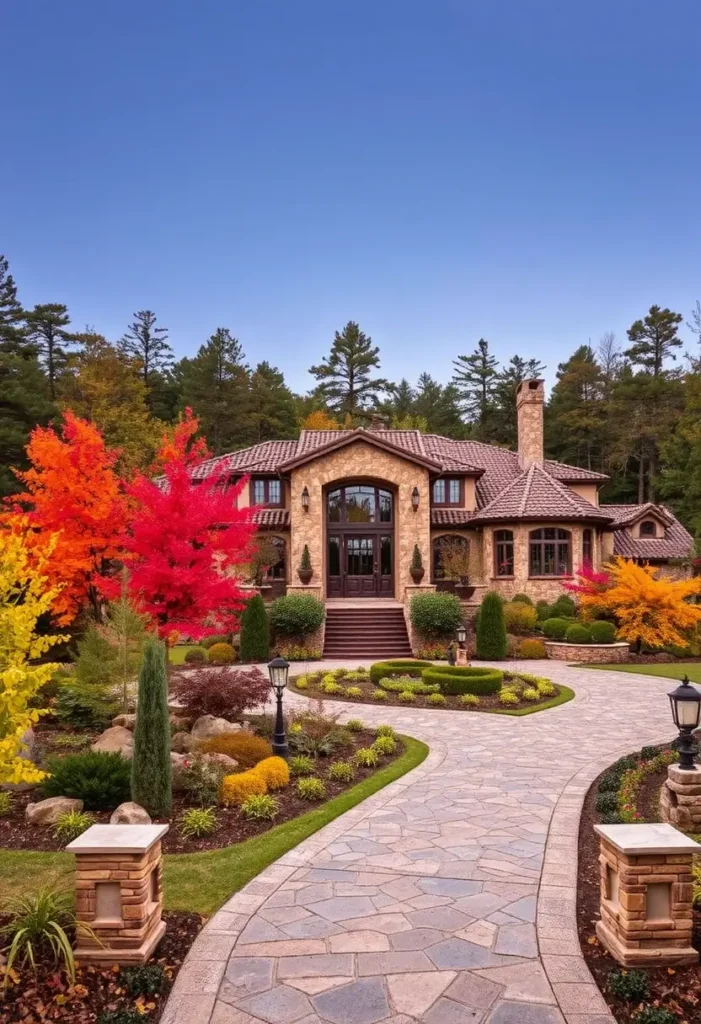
{"type": "Point", "coordinates": [448, 898]}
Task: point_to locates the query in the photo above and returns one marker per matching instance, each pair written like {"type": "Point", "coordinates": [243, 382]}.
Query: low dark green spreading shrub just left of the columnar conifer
{"type": "Point", "coordinates": [99, 779]}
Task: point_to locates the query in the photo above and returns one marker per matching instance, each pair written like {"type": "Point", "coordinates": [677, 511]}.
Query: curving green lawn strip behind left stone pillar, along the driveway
{"type": "Point", "coordinates": [202, 882]}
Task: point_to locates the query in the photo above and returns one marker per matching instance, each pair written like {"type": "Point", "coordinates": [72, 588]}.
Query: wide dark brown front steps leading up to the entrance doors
{"type": "Point", "coordinates": [376, 631]}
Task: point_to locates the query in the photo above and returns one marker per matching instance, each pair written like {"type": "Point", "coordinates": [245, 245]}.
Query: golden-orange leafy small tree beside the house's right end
{"type": "Point", "coordinates": [650, 612]}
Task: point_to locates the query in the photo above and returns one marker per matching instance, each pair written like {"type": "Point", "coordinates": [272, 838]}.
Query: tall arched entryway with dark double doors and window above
{"type": "Point", "coordinates": [361, 520]}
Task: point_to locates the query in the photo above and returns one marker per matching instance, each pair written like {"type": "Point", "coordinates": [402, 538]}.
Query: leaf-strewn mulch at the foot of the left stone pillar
{"type": "Point", "coordinates": [49, 996]}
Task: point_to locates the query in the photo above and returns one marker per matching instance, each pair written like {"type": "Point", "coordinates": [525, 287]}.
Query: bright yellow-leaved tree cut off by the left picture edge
{"type": "Point", "coordinates": [25, 595]}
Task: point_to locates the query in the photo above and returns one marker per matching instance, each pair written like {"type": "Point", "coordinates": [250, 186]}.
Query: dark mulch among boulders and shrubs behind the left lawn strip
{"type": "Point", "coordinates": [17, 834]}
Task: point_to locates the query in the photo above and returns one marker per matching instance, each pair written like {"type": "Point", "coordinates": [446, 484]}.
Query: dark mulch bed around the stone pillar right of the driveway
{"type": "Point", "coordinates": [678, 990]}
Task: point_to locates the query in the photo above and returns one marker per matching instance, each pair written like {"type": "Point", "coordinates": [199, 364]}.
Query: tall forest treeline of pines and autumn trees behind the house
{"type": "Point", "coordinates": [631, 410]}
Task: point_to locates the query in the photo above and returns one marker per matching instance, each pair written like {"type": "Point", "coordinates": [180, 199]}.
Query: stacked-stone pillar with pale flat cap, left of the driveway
{"type": "Point", "coordinates": [119, 893]}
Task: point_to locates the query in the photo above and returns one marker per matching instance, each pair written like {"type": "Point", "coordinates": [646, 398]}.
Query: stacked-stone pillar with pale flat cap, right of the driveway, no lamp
{"type": "Point", "coordinates": [646, 894]}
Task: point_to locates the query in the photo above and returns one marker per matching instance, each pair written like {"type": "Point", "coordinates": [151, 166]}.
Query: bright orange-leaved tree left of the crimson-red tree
{"type": "Point", "coordinates": [72, 492]}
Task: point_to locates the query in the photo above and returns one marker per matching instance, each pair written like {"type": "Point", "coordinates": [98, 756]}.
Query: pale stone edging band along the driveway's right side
{"type": "Point", "coordinates": [577, 992]}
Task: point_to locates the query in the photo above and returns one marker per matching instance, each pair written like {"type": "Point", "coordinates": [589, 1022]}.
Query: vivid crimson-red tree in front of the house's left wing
{"type": "Point", "coordinates": [185, 541]}
